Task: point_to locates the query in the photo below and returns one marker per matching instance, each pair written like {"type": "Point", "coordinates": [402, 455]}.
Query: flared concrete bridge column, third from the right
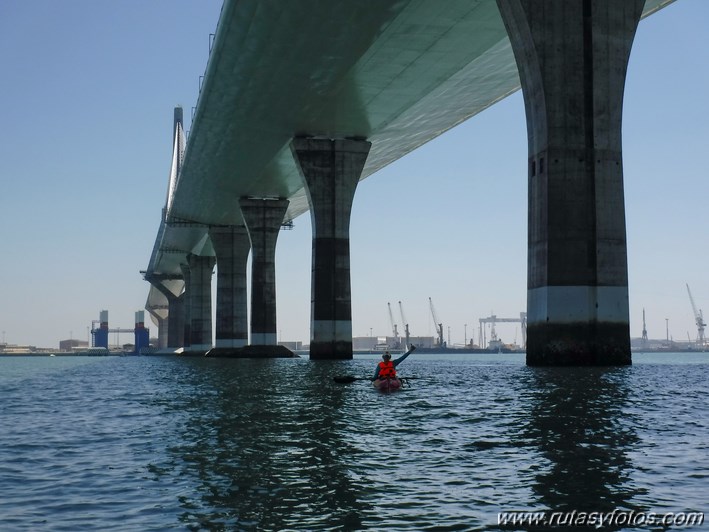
{"type": "Point", "coordinates": [263, 220]}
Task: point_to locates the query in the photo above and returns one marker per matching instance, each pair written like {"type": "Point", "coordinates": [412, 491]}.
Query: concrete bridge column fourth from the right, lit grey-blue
{"type": "Point", "coordinates": [231, 245]}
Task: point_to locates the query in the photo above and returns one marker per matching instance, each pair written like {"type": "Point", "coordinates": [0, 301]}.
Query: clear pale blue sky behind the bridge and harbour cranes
{"type": "Point", "coordinates": [87, 93]}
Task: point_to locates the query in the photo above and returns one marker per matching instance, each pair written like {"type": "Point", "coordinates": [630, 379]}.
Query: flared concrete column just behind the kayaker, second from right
{"type": "Point", "coordinates": [331, 170]}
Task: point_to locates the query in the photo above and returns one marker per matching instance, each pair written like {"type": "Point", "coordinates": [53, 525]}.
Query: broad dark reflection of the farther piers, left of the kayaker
{"type": "Point", "coordinates": [266, 447]}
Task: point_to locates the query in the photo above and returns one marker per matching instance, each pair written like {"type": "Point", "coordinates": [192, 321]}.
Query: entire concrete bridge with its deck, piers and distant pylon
{"type": "Point", "coordinates": [302, 100]}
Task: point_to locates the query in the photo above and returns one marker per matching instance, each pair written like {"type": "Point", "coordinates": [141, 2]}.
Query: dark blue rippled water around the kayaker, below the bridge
{"type": "Point", "coordinates": [162, 443]}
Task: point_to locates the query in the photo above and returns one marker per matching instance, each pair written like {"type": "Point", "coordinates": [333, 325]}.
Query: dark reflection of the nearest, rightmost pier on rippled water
{"type": "Point", "coordinates": [578, 424]}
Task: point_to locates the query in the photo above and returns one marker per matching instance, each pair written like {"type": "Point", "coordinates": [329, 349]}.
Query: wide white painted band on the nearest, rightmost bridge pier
{"type": "Point", "coordinates": [569, 304]}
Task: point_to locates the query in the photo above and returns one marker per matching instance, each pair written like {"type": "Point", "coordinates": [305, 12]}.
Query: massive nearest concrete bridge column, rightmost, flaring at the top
{"type": "Point", "coordinates": [572, 59]}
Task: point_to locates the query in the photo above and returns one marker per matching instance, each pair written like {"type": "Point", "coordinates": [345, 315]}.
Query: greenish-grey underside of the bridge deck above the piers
{"type": "Point", "coordinates": [396, 72]}
